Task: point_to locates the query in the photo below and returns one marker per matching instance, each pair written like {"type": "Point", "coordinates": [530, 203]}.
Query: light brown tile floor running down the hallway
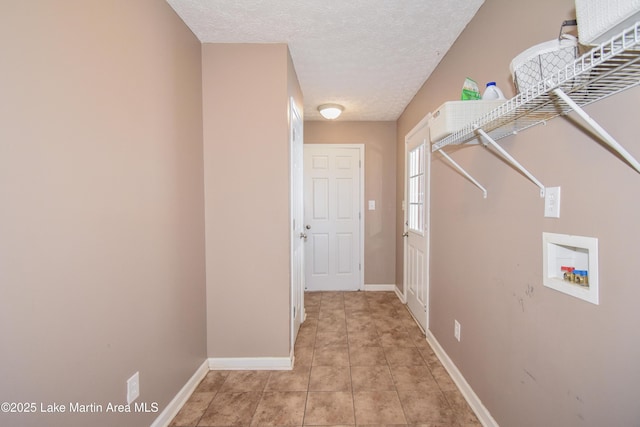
{"type": "Point", "coordinates": [360, 360]}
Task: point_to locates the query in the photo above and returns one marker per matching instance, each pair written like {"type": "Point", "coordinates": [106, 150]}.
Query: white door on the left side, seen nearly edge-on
{"type": "Point", "coordinates": [297, 220]}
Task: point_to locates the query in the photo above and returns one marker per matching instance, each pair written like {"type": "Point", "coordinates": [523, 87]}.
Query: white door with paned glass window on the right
{"type": "Point", "coordinates": [416, 236]}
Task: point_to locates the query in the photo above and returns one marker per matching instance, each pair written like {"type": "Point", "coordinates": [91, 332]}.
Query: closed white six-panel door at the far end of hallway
{"type": "Point", "coordinates": [333, 212]}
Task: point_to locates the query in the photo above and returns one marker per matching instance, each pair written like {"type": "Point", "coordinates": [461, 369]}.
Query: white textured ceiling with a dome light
{"type": "Point", "coordinates": [371, 56]}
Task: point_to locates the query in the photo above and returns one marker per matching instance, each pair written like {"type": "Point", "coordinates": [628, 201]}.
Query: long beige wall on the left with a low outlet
{"type": "Point", "coordinates": [102, 269]}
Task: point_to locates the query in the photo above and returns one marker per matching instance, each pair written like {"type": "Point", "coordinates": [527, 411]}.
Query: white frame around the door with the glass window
{"type": "Point", "coordinates": [427, 220]}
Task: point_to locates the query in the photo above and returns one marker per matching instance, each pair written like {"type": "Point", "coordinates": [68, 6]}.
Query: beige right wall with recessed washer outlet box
{"type": "Point", "coordinates": [534, 356]}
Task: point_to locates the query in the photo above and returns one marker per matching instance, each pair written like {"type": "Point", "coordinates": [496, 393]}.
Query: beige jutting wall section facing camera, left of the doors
{"type": "Point", "coordinates": [246, 89]}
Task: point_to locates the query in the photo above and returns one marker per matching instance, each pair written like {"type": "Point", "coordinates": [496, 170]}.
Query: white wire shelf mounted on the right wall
{"type": "Point", "coordinates": [610, 68]}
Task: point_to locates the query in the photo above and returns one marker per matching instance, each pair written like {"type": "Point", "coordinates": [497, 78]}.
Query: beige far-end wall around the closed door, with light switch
{"type": "Point", "coordinates": [380, 170]}
